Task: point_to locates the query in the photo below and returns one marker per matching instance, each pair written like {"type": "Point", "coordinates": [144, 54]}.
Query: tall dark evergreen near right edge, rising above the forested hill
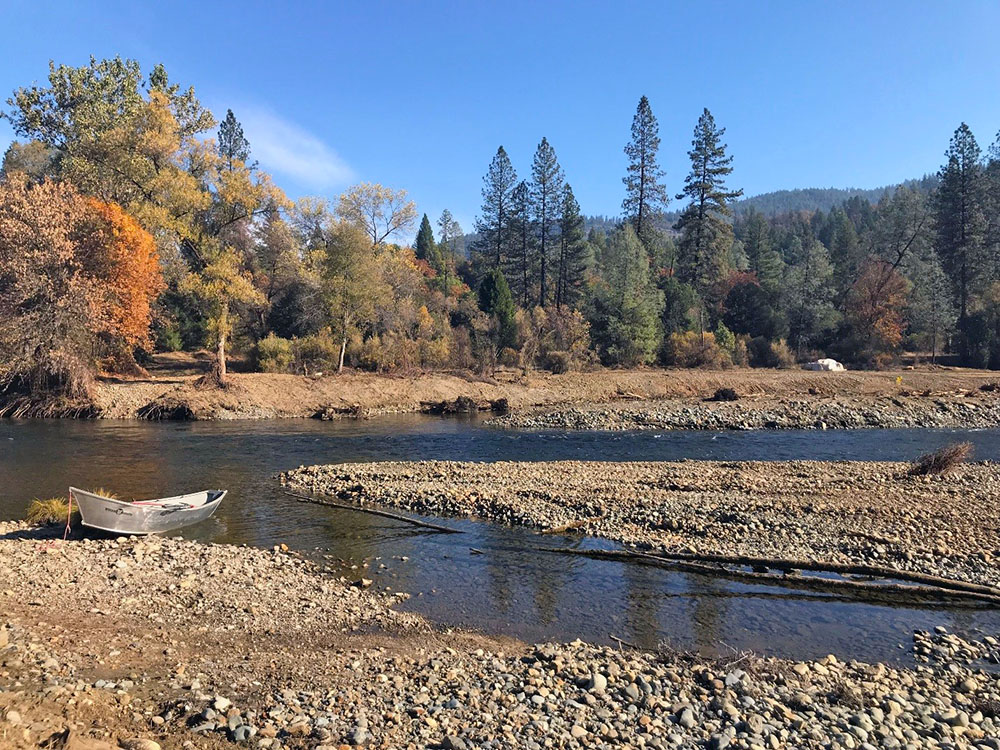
{"type": "Point", "coordinates": [960, 218]}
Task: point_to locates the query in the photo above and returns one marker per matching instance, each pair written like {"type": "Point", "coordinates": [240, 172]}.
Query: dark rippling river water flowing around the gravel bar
{"type": "Point", "coordinates": [502, 591]}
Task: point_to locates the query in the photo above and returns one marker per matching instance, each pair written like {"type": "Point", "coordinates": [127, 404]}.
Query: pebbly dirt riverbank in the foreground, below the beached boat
{"type": "Point", "coordinates": [160, 643]}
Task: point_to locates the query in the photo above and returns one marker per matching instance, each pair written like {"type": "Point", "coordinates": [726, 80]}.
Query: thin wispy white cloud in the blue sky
{"type": "Point", "coordinates": [285, 148]}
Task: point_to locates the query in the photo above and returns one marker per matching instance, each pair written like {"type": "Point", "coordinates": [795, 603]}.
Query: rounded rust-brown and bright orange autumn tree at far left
{"type": "Point", "coordinates": [77, 278]}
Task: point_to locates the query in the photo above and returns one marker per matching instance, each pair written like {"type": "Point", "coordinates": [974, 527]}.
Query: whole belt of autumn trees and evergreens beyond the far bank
{"type": "Point", "coordinates": [132, 221]}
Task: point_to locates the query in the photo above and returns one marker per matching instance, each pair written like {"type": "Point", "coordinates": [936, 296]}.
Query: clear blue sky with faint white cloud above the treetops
{"type": "Point", "coordinates": [419, 95]}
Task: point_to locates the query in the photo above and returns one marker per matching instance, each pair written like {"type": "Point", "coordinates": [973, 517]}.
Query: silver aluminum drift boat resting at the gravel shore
{"type": "Point", "coordinates": [144, 516]}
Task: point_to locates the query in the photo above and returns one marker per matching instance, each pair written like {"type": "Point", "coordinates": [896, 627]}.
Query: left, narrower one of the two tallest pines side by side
{"type": "Point", "coordinates": [645, 194]}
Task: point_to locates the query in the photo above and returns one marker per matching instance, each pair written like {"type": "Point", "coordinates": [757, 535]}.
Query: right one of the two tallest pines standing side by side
{"type": "Point", "coordinates": [705, 233]}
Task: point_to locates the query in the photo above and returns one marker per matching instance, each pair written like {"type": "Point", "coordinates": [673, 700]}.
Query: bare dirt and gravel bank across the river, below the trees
{"type": "Point", "coordinates": [781, 397]}
